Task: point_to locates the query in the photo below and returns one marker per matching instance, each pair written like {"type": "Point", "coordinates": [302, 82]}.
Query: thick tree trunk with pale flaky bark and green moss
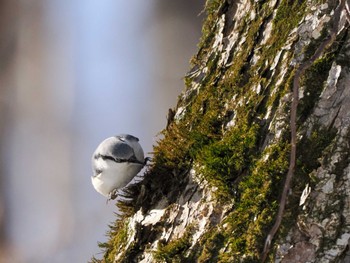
{"type": "Point", "coordinates": [254, 162]}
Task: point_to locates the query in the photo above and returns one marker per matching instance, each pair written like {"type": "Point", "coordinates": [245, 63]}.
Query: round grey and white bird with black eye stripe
{"type": "Point", "coordinates": [115, 162]}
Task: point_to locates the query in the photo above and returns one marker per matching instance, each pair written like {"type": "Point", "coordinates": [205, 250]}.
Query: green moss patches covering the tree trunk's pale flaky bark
{"type": "Point", "coordinates": [247, 176]}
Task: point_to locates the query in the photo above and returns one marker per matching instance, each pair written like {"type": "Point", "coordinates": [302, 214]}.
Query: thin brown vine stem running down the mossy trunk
{"type": "Point", "coordinates": [296, 85]}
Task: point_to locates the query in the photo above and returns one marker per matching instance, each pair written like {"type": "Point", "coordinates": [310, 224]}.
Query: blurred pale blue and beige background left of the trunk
{"type": "Point", "coordinates": [71, 74]}
